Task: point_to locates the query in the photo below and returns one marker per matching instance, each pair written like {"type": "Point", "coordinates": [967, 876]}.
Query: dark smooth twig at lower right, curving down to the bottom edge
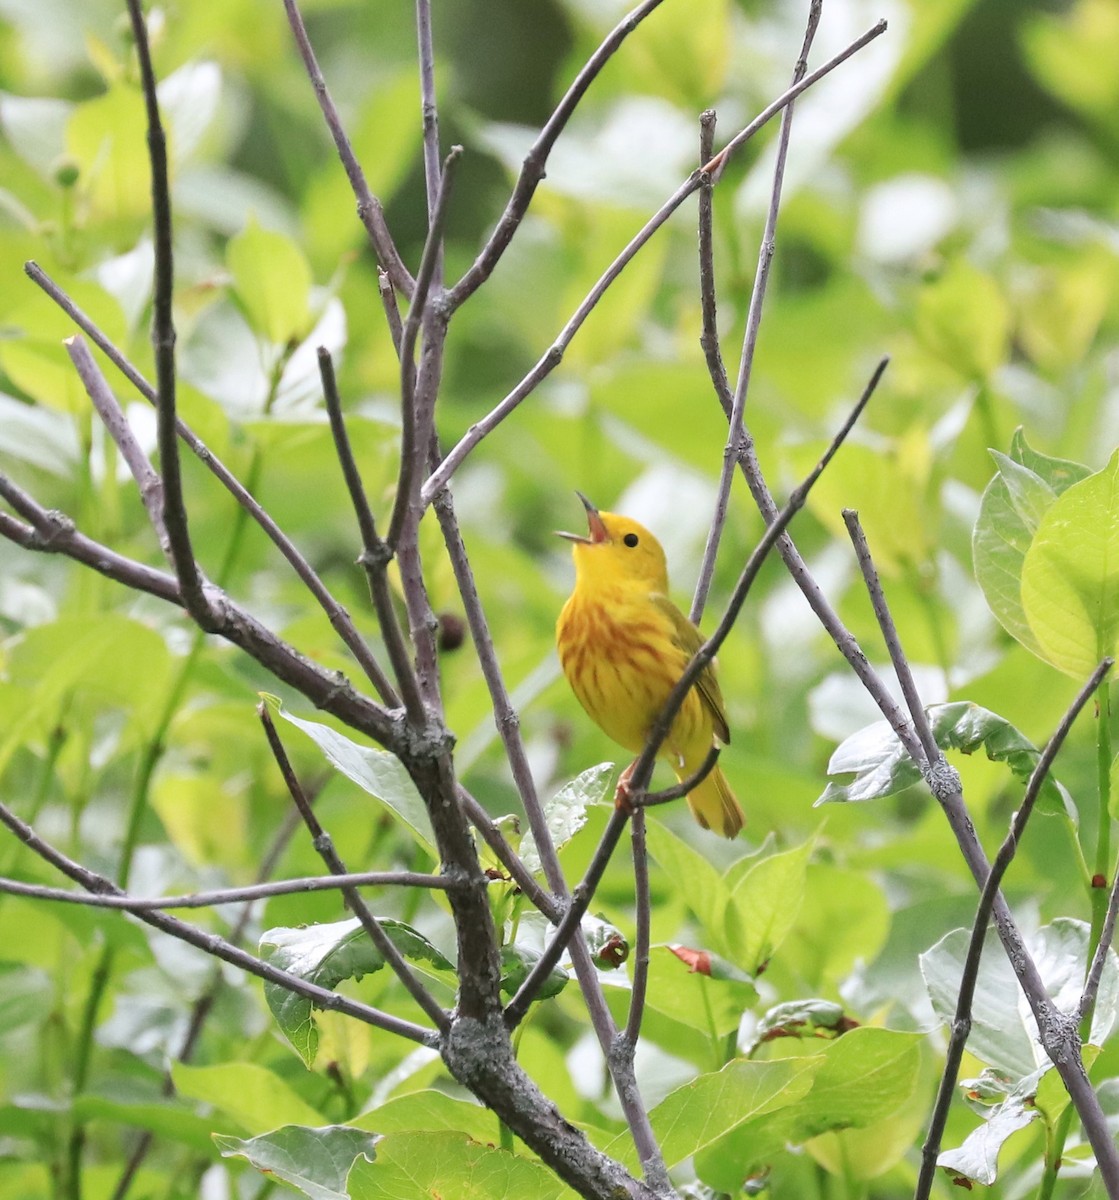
{"type": "Point", "coordinates": [970, 977]}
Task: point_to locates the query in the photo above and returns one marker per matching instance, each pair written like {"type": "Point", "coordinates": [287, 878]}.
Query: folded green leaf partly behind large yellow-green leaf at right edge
{"type": "Point", "coordinates": [1013, 508]}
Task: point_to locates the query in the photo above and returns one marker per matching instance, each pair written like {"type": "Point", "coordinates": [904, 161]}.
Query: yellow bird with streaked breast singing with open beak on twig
{"type": "Point", "coordinates": [624, 645]}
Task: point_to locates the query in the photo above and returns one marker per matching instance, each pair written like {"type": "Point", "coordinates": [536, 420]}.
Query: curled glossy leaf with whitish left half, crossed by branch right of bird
{"type": "Point", "coordinates": [882, 765]}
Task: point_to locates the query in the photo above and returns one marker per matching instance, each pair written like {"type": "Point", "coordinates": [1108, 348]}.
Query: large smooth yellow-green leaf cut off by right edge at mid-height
{"type": "Point", "coordinates": [1070, 579]}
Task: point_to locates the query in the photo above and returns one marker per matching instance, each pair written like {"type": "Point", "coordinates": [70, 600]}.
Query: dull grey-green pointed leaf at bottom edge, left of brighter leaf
{"type": "Point", "coordinates": [316, 1162]}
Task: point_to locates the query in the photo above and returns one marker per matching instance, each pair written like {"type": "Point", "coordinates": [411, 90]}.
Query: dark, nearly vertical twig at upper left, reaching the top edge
{"type": "Point", "coordinates": [164, 341]}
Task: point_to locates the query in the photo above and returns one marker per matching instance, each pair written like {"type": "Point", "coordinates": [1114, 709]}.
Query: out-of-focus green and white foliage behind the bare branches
{"type": "Point", "coordinates": [950, 201]}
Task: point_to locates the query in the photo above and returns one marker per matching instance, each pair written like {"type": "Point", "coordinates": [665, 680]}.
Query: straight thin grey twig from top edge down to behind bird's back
{"type": "Point", "coordinates": [753, 325]}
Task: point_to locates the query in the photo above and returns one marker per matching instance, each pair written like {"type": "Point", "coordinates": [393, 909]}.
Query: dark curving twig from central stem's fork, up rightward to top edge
{"type": "Point", "coordinates": [534, 167]}
